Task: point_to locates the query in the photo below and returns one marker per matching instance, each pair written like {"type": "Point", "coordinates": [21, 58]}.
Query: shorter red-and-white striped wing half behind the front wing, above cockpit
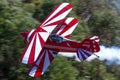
{"type": "Point", "coordinates": [67, 27]}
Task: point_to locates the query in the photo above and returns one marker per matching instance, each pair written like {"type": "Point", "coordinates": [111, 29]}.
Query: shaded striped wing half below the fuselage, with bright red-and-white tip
{"type": "Point", "coordinates": [42, 63]}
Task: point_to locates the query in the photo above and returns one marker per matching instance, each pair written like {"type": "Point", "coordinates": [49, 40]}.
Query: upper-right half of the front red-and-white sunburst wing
{"type": "Point", "coordinates": [55, 17]}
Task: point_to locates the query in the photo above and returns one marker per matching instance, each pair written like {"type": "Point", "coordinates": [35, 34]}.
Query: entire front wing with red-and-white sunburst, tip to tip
{"type": "Point", "coordinates": [38, 37]}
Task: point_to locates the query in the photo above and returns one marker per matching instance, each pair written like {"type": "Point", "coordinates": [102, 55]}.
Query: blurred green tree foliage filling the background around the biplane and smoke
{"type": "Point", "coordinates": [96, 17]}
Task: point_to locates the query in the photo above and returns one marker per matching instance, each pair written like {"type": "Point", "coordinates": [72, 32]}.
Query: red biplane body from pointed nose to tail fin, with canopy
{"type": "Point", "coordinates": [61, 44]}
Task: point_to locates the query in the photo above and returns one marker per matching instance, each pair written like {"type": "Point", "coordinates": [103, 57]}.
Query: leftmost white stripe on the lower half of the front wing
{"type": "Point", "coordinates": [27, 53]}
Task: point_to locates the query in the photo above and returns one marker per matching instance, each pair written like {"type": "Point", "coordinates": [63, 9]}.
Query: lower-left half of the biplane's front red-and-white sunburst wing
{"type": "Point", "coordinates": [34, 47]}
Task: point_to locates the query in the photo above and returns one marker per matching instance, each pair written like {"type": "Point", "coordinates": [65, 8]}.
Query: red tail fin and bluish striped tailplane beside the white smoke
{"type": "Point", "coordinates": [88, 47]}
